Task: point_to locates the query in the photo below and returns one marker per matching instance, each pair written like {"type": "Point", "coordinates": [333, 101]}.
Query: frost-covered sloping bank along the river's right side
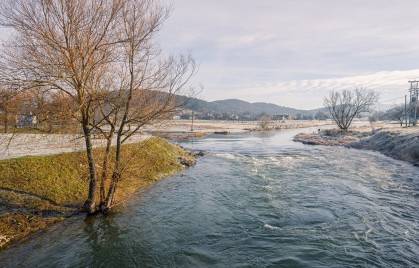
{"type": "Point", "coordinates": [400, 144]}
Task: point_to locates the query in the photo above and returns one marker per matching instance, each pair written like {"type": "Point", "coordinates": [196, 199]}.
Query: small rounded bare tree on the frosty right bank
{"type": "Point", "coordinates": [346, 105]}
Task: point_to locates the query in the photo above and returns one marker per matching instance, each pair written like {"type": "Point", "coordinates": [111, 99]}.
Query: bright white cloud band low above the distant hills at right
{"type": "Point", "coordinates": [309, 94]}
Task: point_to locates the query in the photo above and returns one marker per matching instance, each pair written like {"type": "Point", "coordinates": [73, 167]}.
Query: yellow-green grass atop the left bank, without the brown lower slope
{"type": "Point", "coordinates": [62, 179]}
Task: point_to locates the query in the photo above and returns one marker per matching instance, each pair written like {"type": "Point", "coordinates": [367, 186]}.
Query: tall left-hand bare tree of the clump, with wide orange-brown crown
{"type": "Point", "coordinates": [66, 46]}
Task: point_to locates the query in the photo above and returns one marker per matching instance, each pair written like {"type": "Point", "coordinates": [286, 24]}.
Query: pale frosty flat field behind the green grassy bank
{"type": "Point", "coordinates": [29, 144]}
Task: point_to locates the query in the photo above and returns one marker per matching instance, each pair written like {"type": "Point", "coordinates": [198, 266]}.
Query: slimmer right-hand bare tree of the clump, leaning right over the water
{"type": "Point", "coordinates": [144, 90]}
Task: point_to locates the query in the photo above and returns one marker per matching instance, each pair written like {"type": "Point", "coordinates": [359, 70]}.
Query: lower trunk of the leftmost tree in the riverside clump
{"type": "Point", "coordinates": [90, 203]}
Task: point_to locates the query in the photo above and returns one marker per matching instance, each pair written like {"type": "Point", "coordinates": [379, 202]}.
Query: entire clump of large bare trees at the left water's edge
{"type": "Point", "coordinates": [102, 57]}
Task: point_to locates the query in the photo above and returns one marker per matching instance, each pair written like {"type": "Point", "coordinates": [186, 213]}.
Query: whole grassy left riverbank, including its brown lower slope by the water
{"type": "Point", "coordinates": [38, 191]}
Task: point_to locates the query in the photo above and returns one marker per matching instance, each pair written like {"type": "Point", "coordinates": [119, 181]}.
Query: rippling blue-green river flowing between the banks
{"type": "Point", "coordinates": [255, 200]}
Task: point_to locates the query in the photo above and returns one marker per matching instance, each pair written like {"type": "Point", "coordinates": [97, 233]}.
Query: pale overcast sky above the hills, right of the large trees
{"type": "Point", "coordinates": [292, 52]}
